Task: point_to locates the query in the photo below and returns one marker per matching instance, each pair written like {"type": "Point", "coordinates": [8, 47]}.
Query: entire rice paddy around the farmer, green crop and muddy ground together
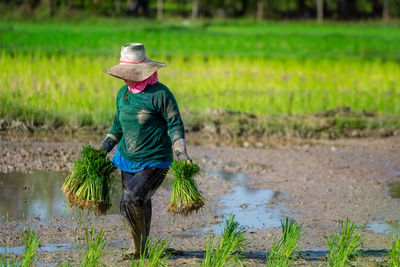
{"type": "Point", "coordinates": [259, 79]}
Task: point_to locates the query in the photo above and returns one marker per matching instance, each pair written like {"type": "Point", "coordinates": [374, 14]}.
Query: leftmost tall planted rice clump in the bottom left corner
{"type": "Point", "coordinates": [31, 242]}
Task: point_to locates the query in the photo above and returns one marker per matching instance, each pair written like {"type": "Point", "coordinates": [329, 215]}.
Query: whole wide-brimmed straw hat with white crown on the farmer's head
{"type": "Point", "coordinates": [134, 66]}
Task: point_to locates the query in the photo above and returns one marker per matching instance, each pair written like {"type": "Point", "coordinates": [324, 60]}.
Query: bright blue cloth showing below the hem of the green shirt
{"type": "Point", "coordinates": [134, 166]}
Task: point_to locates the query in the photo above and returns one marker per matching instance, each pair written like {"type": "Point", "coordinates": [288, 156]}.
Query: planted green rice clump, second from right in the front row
{"type": "Point", "coordinates": [343, 245]}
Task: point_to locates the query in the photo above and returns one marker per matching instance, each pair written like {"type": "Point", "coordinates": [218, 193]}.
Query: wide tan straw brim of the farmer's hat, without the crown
{"type": "Point", "coordinates": [135, 72]}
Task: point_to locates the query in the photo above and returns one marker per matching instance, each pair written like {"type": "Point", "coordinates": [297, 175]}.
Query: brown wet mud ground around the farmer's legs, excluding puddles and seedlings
{"type": "Point", "coordinates": [316, 182]}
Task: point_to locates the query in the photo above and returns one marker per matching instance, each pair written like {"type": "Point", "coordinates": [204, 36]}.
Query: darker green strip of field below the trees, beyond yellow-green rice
{"type": "Point", "coordinates": [206, 38]}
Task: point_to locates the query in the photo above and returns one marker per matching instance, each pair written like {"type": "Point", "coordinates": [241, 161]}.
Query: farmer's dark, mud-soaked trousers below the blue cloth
{"type": "Point", "coordinates": [135, 206]}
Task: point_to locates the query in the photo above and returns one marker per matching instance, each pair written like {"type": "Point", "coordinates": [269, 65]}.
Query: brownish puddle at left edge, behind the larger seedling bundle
{"type": "Point", "coordinates": [37, 194]}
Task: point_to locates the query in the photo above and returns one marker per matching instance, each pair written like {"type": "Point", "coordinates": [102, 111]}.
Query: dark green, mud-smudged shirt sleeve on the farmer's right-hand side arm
{"type": "Point", "coordinates": [169, 109]}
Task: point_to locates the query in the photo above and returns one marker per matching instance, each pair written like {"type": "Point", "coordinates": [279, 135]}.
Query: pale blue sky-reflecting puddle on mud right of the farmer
{"type": "Point", "coordinates": [248, 204]}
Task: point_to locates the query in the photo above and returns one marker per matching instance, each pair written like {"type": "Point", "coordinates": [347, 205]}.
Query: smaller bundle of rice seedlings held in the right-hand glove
{"type": "Point", "coordinates": [185, 197]}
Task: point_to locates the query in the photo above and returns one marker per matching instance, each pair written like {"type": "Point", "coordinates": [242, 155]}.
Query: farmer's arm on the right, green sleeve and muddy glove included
{"type": "Point", "coordinates": [171, 114]}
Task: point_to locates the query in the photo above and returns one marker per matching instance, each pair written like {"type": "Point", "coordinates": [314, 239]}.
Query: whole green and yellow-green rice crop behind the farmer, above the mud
{"type": "Point", "coordinates": [52, 71]}
